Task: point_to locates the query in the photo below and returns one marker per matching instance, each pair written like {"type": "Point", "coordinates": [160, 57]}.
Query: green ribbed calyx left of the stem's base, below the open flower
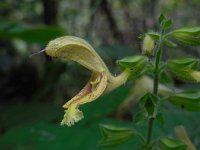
{"type": "Point", "coordinates": [113, 136]}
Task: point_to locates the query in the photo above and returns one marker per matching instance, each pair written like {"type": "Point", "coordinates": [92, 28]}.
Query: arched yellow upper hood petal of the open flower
{"type": "Point", "coordinates": [76, 49]}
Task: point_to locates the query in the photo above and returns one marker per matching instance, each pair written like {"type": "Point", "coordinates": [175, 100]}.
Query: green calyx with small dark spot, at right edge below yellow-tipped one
{"type": "Point", "coordinates": [188, 100]}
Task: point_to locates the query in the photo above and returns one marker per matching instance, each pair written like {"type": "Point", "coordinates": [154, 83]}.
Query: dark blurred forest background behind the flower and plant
{"type": "Point", "coordinates": [33, 89]}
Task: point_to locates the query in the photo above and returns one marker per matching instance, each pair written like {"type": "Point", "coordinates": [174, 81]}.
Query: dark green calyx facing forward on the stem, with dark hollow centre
{"type": "Point", "coordinates": [149, 104]}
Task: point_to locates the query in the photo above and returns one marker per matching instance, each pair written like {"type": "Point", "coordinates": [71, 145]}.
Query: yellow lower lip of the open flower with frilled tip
{"type": "Point", "coordinates": [94, 88]}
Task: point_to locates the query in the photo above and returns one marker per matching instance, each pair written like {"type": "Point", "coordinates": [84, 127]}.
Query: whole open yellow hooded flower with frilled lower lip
{"type": "Point", "coordinates": [78, 50]}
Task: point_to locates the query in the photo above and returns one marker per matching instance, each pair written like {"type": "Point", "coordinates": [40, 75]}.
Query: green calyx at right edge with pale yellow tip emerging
{"type": "Point", "coordinates": [185, 68]}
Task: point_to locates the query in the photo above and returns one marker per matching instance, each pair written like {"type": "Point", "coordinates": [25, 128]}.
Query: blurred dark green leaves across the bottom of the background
{"type": "Point", "coordinates": [36, 125]}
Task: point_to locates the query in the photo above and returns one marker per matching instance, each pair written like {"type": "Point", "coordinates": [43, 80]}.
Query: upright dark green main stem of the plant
{"type": "Point", "coordinates": [155, 87]}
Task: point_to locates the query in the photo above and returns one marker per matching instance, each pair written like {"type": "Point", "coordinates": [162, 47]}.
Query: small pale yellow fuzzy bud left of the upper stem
{"type": "Point", "coordinates": [148, 45]}
